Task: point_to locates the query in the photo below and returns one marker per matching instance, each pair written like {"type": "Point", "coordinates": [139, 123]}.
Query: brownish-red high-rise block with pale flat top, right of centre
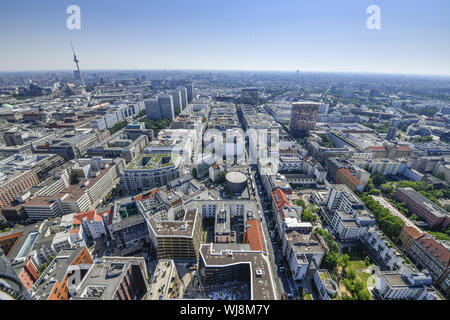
{"type": "Point", "coordinates": [303, 117]}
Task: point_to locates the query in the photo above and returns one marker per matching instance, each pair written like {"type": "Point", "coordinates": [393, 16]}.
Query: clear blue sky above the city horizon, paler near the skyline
{"type": "Point", "coordinates": [310, 35]}
